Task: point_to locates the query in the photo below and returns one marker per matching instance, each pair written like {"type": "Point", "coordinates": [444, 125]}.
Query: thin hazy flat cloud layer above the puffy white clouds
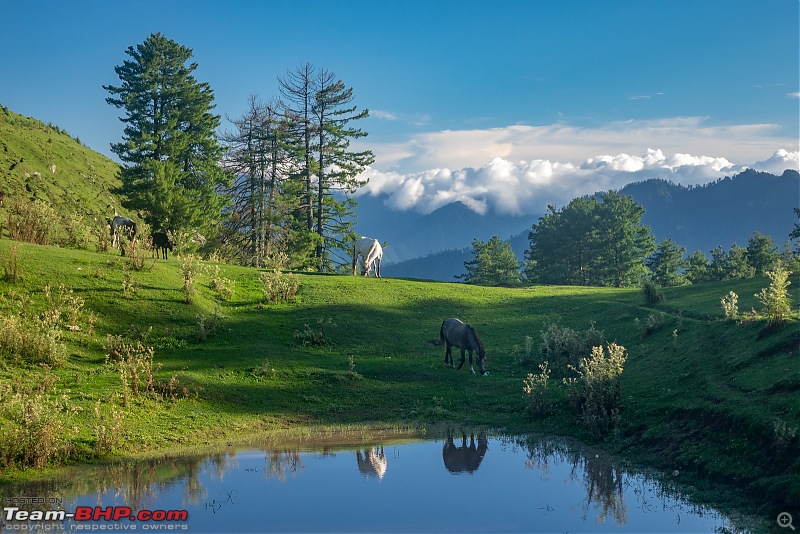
{"type": "Point", "coordinates": [561, 142]}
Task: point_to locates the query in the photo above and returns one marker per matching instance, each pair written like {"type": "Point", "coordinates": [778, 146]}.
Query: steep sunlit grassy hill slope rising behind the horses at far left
{"type": "Point", "coordinates": [41, 161]}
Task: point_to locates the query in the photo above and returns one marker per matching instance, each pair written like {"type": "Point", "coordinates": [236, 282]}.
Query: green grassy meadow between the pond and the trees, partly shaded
{"type": "Point", "coordinates": [702, 395]}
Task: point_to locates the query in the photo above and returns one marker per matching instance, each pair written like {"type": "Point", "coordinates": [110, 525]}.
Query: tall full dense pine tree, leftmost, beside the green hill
{"type": "Point", "coordinates": [169, 150]}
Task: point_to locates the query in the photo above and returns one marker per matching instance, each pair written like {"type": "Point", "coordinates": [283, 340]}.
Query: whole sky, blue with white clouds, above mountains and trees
{"type": "Point", "coordinates": [499, 104]}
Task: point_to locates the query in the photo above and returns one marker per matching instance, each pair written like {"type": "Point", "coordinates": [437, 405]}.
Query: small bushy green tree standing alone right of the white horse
{"type": "Point", "coordinates": [494, 263]}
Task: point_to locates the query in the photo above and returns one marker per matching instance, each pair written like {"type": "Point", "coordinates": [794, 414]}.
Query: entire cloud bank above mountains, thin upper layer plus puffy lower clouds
{"type": "Point", "coordinates": [488, 171]}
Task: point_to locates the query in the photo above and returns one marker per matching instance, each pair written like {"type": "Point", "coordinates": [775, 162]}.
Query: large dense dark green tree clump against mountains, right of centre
{"type": "Point", "coordinates": [590, 241]}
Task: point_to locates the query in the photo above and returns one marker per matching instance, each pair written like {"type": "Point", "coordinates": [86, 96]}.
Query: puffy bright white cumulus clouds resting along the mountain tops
{"type": "Point", "coordinates": [527, 187]}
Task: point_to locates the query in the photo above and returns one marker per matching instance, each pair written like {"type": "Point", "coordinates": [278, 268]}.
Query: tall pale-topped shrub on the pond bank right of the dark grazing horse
{"type": "Point", "coordinates": [596, 393]}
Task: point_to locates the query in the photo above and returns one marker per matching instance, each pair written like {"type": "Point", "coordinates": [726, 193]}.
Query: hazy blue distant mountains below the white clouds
{"type": "Point", "coordinates": [435, 246]}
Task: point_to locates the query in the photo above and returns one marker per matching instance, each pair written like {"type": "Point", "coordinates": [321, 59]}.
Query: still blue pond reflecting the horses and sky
{"type": "Point", "coordinates": [461, 482]}
